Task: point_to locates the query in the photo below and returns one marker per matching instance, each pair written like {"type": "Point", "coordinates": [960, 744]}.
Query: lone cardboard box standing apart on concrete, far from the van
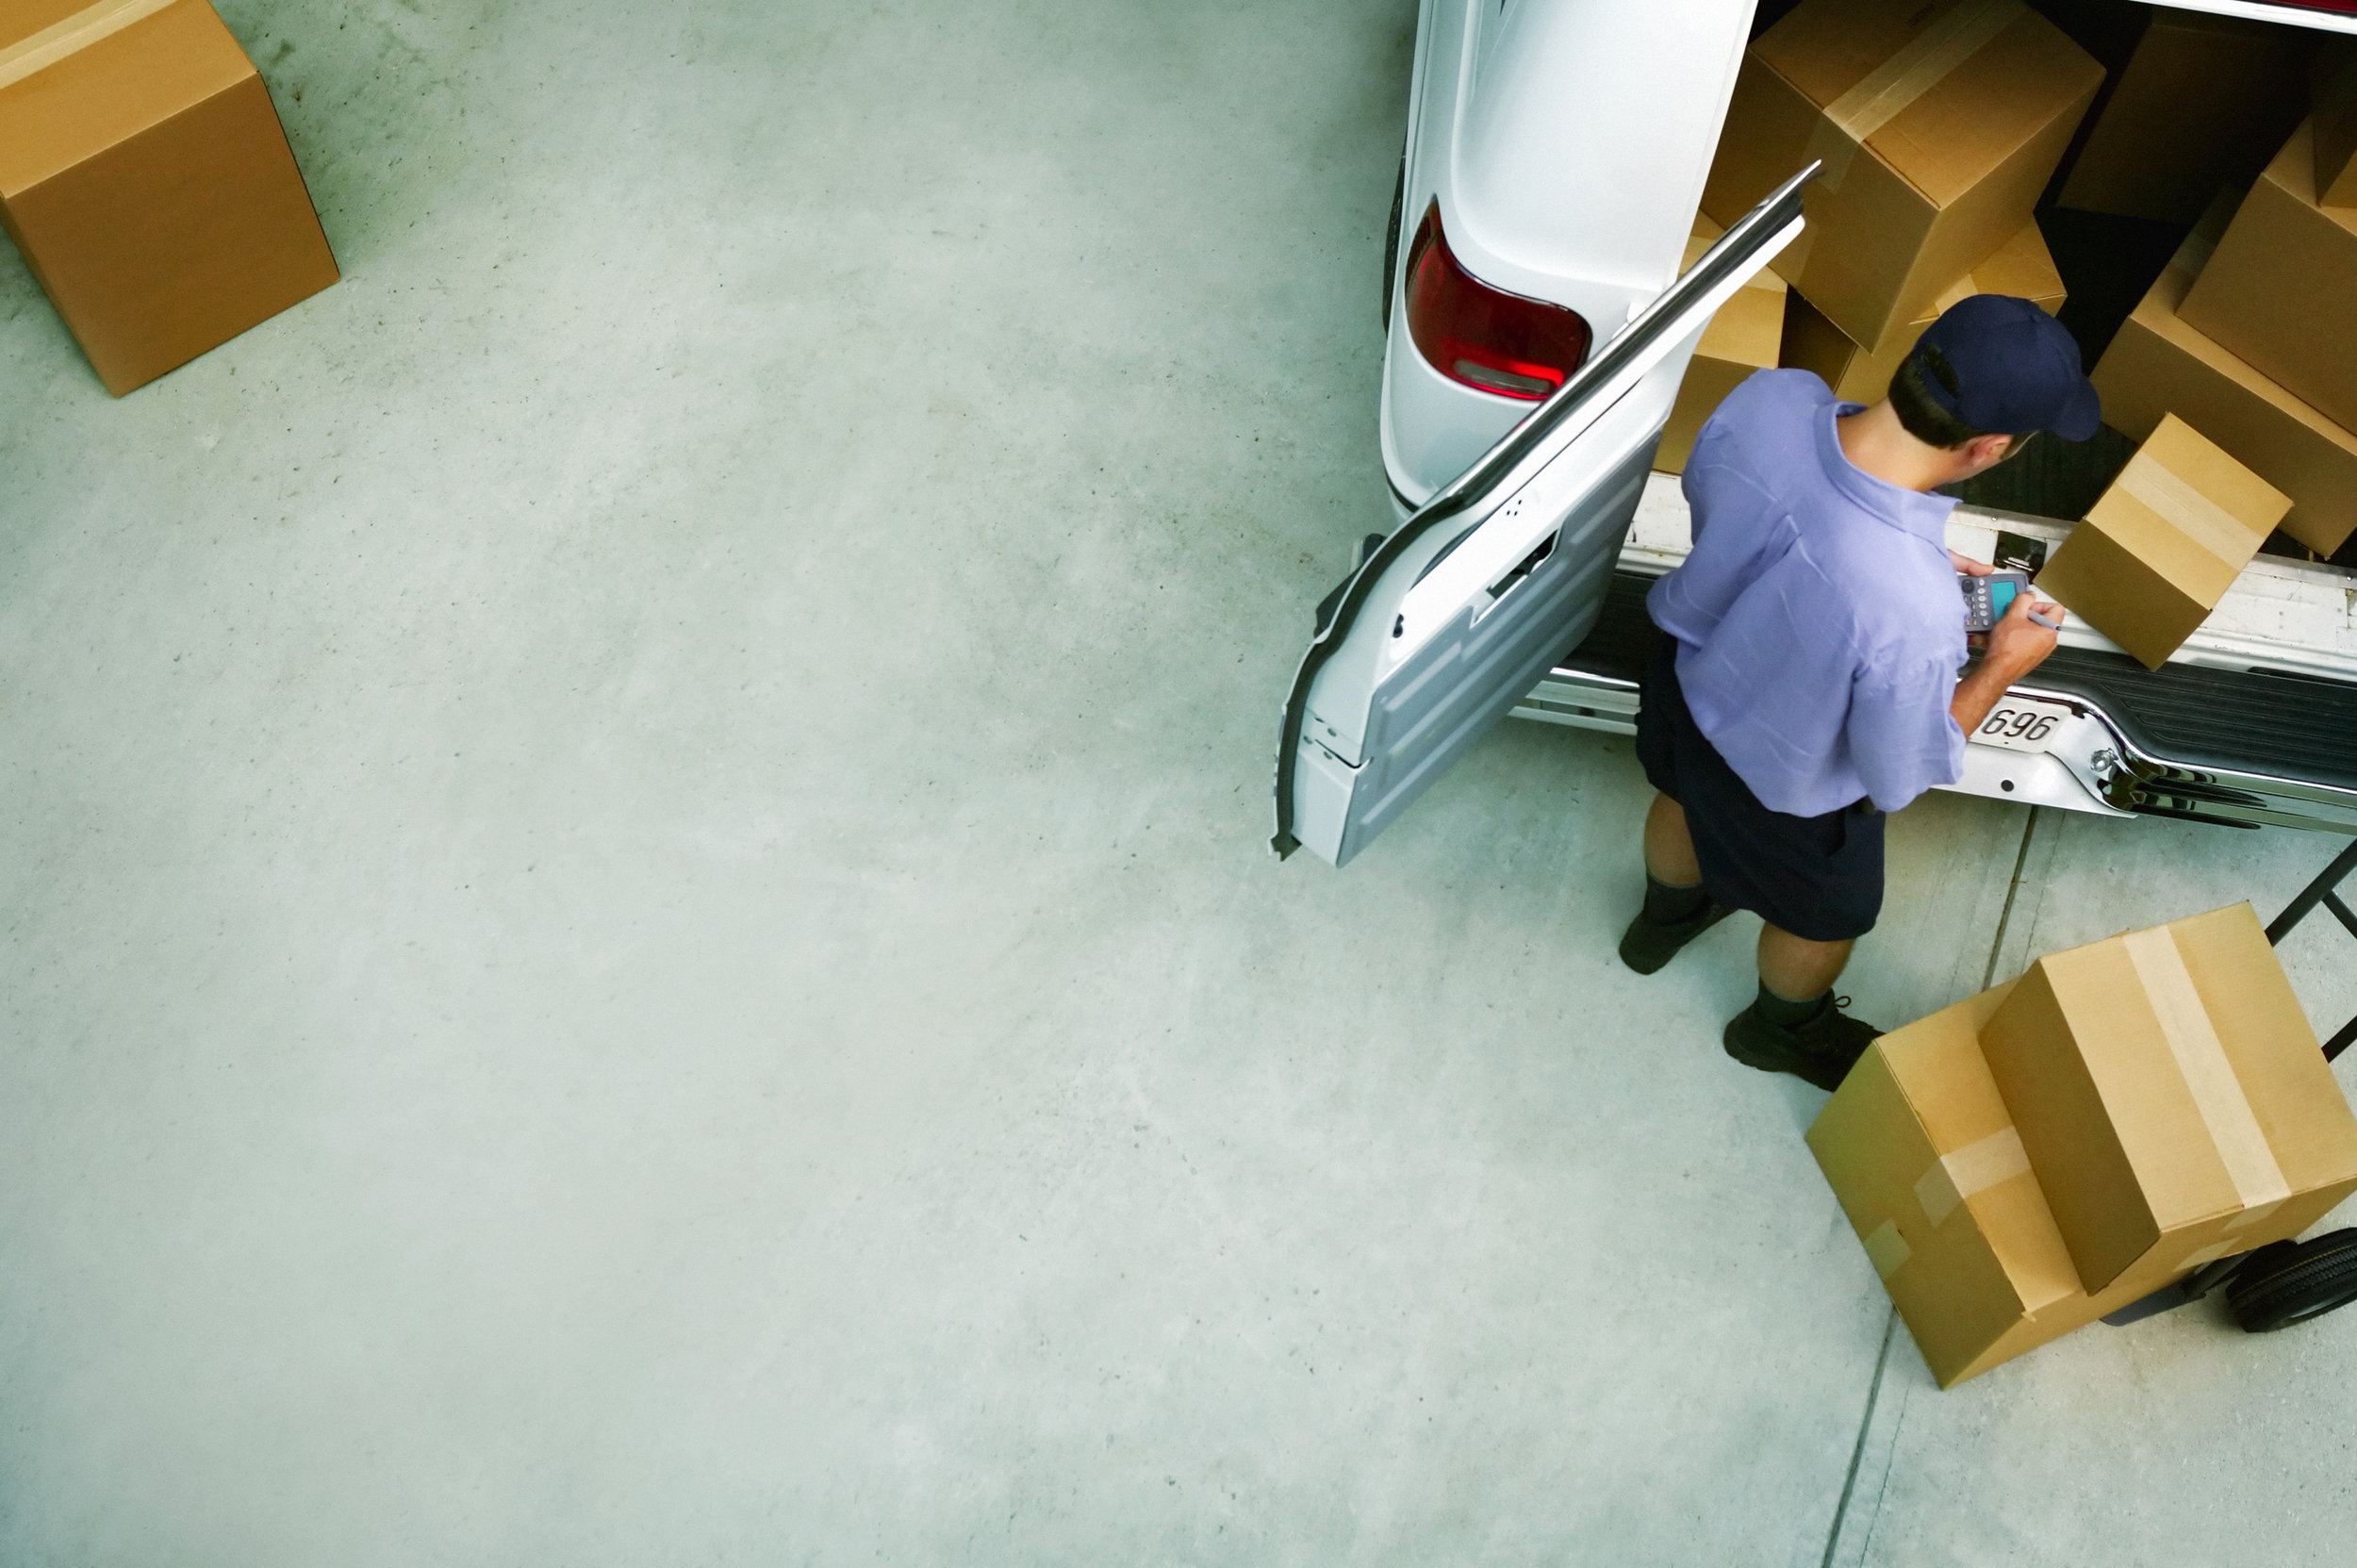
{"type": "Point", "coordinates": [147, 183]}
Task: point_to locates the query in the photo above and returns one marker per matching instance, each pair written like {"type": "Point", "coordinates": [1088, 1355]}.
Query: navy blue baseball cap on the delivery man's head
{"type": "Point", "coordinates": [2016, 369]}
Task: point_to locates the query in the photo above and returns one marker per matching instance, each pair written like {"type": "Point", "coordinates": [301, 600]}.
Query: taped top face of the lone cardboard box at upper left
{"type": "Point", "coordinates": [103, 77]}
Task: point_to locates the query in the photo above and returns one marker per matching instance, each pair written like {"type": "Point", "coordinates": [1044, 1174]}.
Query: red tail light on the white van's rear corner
{"type": "Point", "coordinates": [1484, 336]}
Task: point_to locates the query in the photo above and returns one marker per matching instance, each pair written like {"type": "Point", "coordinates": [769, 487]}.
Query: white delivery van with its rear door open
{"type": "Point", "coordinates": [1554, 162]}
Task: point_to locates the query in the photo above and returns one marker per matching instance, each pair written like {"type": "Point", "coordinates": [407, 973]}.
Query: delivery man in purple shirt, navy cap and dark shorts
{"type": "Point", "coordinates": [1809, 671]}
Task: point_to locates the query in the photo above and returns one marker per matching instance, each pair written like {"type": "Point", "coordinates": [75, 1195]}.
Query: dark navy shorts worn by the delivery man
{"type": "Point", "coordinates": [1814, 876]}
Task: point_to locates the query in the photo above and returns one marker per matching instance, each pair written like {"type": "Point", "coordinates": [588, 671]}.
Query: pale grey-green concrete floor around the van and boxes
{"type": "Point", "coordinates": [635, 918]}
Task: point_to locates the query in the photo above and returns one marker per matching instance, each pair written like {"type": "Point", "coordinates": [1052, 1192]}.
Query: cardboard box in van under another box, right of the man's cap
{"type": "Point", "coordinates": [2158, 364]}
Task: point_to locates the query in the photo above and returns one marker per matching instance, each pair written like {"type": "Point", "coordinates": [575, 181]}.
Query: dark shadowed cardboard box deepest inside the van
{"type": "Point", "coordinates": [2203, 103]}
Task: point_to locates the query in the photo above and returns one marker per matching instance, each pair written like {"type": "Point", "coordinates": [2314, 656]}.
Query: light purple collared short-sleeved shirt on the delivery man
{"type": "Point", "coordinates": [1818, 617]}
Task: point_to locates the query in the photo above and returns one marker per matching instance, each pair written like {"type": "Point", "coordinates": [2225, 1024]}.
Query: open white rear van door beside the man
{"type": "Point", "coordinates": [1503, 572]}
